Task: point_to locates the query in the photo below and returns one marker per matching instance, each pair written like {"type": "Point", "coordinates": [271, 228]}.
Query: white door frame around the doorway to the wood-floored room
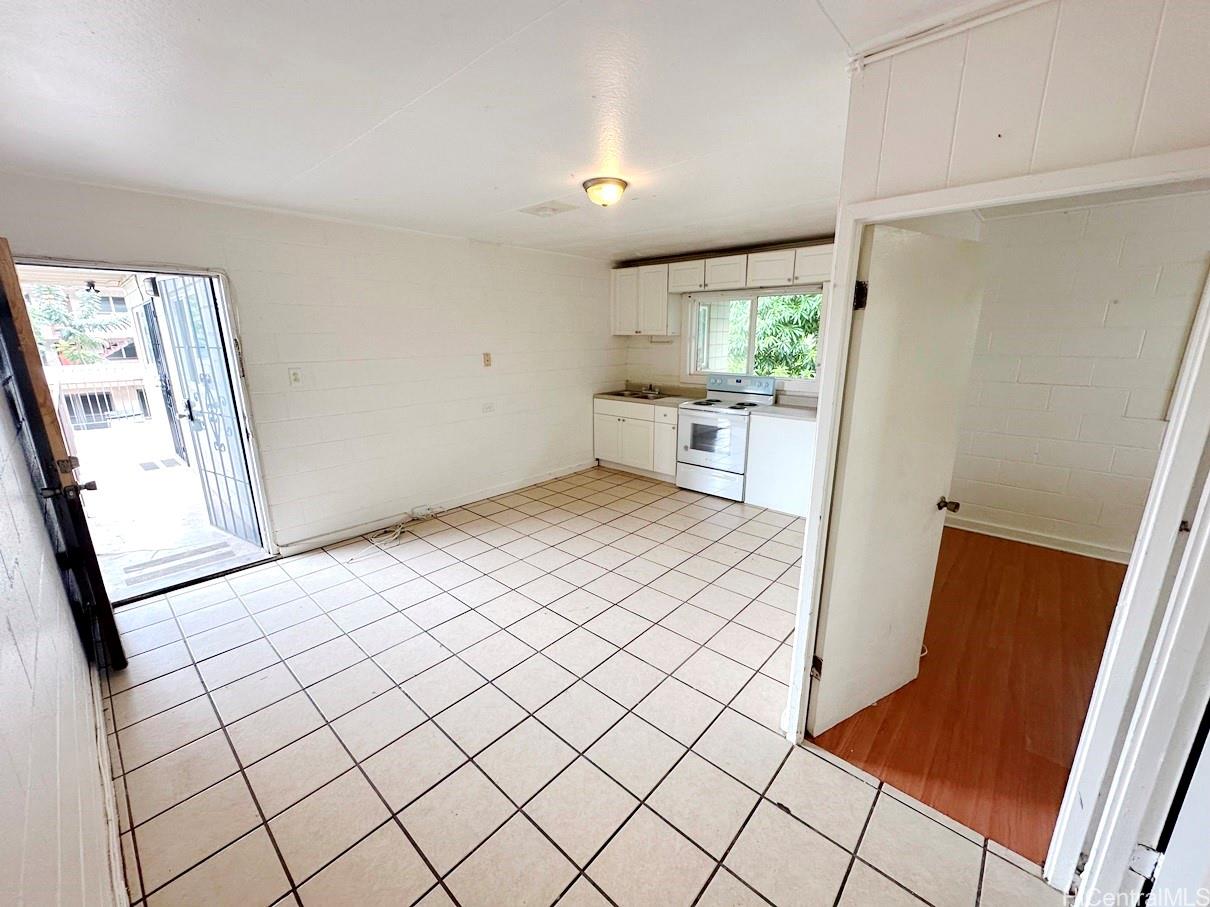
{"type": "Point", "coordinates": [1110, 717]}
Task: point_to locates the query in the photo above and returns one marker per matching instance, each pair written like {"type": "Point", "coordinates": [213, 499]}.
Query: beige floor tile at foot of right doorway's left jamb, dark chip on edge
{"type": "Point", "coordinates": [826, 798]}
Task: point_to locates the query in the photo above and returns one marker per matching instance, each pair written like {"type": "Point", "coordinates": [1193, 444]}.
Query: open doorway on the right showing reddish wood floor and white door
{"type": "Point", "coordinates": [1034, 460]}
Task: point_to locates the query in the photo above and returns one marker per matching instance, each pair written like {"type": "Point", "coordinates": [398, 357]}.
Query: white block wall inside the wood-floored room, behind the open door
{"type": "Point", "coordinates": [1081, 337]}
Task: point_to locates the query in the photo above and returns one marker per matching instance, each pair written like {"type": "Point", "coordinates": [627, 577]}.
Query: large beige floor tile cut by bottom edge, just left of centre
{"type": "Point", "coordinates": [516, 860]}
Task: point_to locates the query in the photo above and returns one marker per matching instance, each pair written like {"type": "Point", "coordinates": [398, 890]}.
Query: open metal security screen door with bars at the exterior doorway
{"type": "Point", "coordinates": [209, 412]}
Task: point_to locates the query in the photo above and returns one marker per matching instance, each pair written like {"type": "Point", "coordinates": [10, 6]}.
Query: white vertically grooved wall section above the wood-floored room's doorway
{"type": "Point", "coordinates": [1063, 84]}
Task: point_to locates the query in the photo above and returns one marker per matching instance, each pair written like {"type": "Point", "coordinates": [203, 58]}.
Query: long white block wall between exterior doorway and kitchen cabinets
{"type": "Point", "coordinates": [389, 328]}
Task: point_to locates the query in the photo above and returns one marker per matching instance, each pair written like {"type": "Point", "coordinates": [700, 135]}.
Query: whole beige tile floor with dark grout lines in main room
{"type": "Point", "coordinates": [566, 695]}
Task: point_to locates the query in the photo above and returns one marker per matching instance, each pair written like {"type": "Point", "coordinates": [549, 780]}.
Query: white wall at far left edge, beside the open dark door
{"type": "Point", "coordinates": [55, 846]}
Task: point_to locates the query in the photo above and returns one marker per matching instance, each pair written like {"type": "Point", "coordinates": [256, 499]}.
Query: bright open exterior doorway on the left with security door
{"type": "Point", "coordinates": [140, 374]}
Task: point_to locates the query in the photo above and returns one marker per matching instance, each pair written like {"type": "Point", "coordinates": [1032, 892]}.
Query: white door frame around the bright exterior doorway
{"type": "Point", "coordinates": [229, 325]}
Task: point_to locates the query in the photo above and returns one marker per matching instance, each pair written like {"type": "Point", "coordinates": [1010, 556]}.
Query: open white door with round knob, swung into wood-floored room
{"type": "Point", "coordinates": [908, 378]}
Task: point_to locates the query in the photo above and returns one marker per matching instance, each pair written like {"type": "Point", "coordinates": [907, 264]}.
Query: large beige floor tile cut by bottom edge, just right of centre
{"type": "Point", "coordinates": [650, 863]}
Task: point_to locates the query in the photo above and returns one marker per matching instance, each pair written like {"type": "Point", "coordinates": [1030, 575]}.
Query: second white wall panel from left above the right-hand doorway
{"type": "Point", "coordinates": [917, 137]}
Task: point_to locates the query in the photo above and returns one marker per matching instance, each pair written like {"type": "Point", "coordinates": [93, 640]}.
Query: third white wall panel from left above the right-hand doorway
{"type": "Point", "coordinates": [1006, 72]}
